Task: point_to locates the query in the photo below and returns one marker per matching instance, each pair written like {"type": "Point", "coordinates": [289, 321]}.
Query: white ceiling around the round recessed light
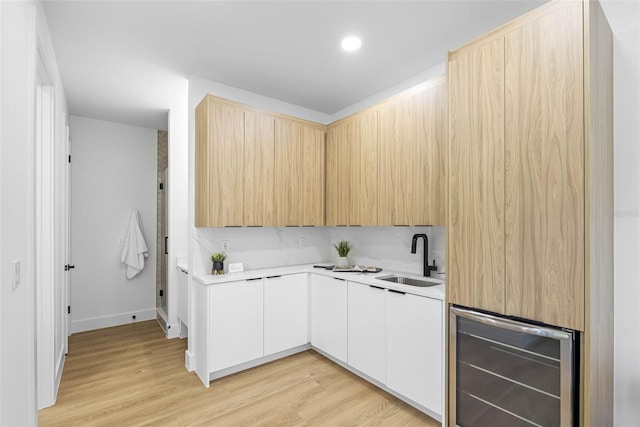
{"type": "Point", "coordinates": [126, 61]}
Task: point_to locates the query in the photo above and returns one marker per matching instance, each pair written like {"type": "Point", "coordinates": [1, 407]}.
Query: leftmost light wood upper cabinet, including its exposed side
{"type": "Point", "coordinates": [219, 165]}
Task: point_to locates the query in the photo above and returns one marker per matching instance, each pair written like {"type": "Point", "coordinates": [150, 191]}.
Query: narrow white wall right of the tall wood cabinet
{"type": "Point", "coordinates": [627, 221]}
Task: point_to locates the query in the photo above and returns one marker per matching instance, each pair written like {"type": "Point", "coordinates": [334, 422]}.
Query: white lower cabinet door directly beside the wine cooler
{"type": "Point", "coordinates": [414, 349]}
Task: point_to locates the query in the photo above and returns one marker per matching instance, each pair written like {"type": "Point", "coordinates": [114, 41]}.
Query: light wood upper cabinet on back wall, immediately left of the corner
{"type": "Point", "coordinates": [299, 178]}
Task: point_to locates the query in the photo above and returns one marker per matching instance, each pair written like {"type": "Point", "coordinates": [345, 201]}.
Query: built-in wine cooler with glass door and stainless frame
{"type": "Point", "coordinates": [510, 373]}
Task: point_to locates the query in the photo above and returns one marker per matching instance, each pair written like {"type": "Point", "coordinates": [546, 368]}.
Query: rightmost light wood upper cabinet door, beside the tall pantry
{"type": "Point", "coordinates": [431, 156]}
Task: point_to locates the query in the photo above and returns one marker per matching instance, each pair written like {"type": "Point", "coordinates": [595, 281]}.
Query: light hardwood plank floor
{"type": "Point", "coordinates": [132, 375]}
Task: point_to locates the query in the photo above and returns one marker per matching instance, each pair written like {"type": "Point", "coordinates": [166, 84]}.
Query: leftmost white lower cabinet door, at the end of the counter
{"type": "Point", "coordinates": [235, 323]}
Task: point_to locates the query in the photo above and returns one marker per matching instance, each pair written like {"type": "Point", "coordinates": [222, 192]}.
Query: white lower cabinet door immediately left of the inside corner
{"type": "Point", "coordinates": [285, 312]}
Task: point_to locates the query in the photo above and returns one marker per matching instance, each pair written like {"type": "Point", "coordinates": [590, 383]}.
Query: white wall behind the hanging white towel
{"type": "Point", "coordinates": [113, 171]}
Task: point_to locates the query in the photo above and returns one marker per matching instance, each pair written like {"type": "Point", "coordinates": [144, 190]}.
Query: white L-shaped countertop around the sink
{"type": "Point", "coordinates": [436, 292]}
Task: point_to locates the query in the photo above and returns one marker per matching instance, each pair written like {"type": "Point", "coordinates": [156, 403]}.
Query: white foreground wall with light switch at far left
{"type": "Point", "coordinates": [17, 329]}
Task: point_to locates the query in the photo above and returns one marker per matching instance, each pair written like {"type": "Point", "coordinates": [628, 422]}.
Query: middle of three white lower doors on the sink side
{"type": "Point", "coordinates": [367, 321]}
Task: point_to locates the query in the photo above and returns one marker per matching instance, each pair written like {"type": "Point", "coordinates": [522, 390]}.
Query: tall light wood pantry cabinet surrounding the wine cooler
{"type": "Point", "coordinates": [530, 181]}
